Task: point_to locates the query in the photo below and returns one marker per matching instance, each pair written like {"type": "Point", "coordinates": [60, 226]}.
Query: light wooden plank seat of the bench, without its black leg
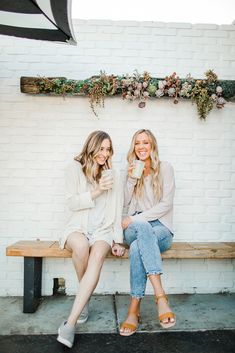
{"type": "Point", "coordinates": [179, 250]}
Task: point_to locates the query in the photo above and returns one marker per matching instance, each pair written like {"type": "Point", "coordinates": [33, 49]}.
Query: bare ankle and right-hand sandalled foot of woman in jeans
{"type": "Point", "coordinates": [163, 306]}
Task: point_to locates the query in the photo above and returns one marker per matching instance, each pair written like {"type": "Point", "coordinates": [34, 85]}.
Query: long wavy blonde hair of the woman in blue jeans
{"type": "Point", "coordinates": [154, 166]}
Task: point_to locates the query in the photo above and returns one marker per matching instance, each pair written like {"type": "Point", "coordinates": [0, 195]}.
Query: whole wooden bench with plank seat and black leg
{"type": "Point", "coordinates": [34, 251]}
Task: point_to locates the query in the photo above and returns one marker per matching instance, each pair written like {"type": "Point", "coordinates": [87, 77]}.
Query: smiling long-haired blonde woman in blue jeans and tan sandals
{"type": "Point", "coordinates": [148, 227]}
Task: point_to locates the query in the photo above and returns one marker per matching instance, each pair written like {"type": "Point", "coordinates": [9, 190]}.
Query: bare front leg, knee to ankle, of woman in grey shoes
{"type": "Point", "coordinates": [89, 280]}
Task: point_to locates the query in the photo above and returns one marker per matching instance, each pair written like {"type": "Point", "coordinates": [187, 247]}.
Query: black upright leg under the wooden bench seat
{"type": "Point", "coordinates": [32, 283]}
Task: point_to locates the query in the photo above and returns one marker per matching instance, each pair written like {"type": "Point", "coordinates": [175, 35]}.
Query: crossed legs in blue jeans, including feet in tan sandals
{"type": "Point", "coordinates": [146, 241]}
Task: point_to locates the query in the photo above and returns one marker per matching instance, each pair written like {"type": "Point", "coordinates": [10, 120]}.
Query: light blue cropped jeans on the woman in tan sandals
{"type": "Point", "coordinates": [147, 240]}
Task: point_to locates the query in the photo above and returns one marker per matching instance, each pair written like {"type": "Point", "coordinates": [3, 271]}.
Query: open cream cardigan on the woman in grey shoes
{"type": "Point", "coordinates": [79, 202]}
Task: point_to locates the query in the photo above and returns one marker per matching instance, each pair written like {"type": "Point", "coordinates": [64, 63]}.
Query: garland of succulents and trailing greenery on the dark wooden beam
{"type": "Point", "coordinates": [205, 93]}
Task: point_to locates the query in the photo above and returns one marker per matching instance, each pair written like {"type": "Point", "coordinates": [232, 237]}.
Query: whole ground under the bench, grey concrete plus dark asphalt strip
{"type": "Point", "coordinates": [205, 323]}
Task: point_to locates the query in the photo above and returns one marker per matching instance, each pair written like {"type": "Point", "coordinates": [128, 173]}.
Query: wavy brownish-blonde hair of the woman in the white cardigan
{"type": "Point", "coordinates": [91, 148]}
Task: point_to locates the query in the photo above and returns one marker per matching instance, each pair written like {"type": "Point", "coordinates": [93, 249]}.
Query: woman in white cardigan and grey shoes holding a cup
{"type": "Point", "coordinates": [94, 227]}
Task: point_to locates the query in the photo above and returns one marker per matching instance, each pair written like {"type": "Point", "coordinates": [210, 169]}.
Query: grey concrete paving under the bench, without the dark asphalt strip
{"type": "Point", "coordinates": [194, 312]}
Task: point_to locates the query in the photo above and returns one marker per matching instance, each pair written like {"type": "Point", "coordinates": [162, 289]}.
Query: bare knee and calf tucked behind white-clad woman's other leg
{"type": "Point", "coordinates": [79, 245]}
